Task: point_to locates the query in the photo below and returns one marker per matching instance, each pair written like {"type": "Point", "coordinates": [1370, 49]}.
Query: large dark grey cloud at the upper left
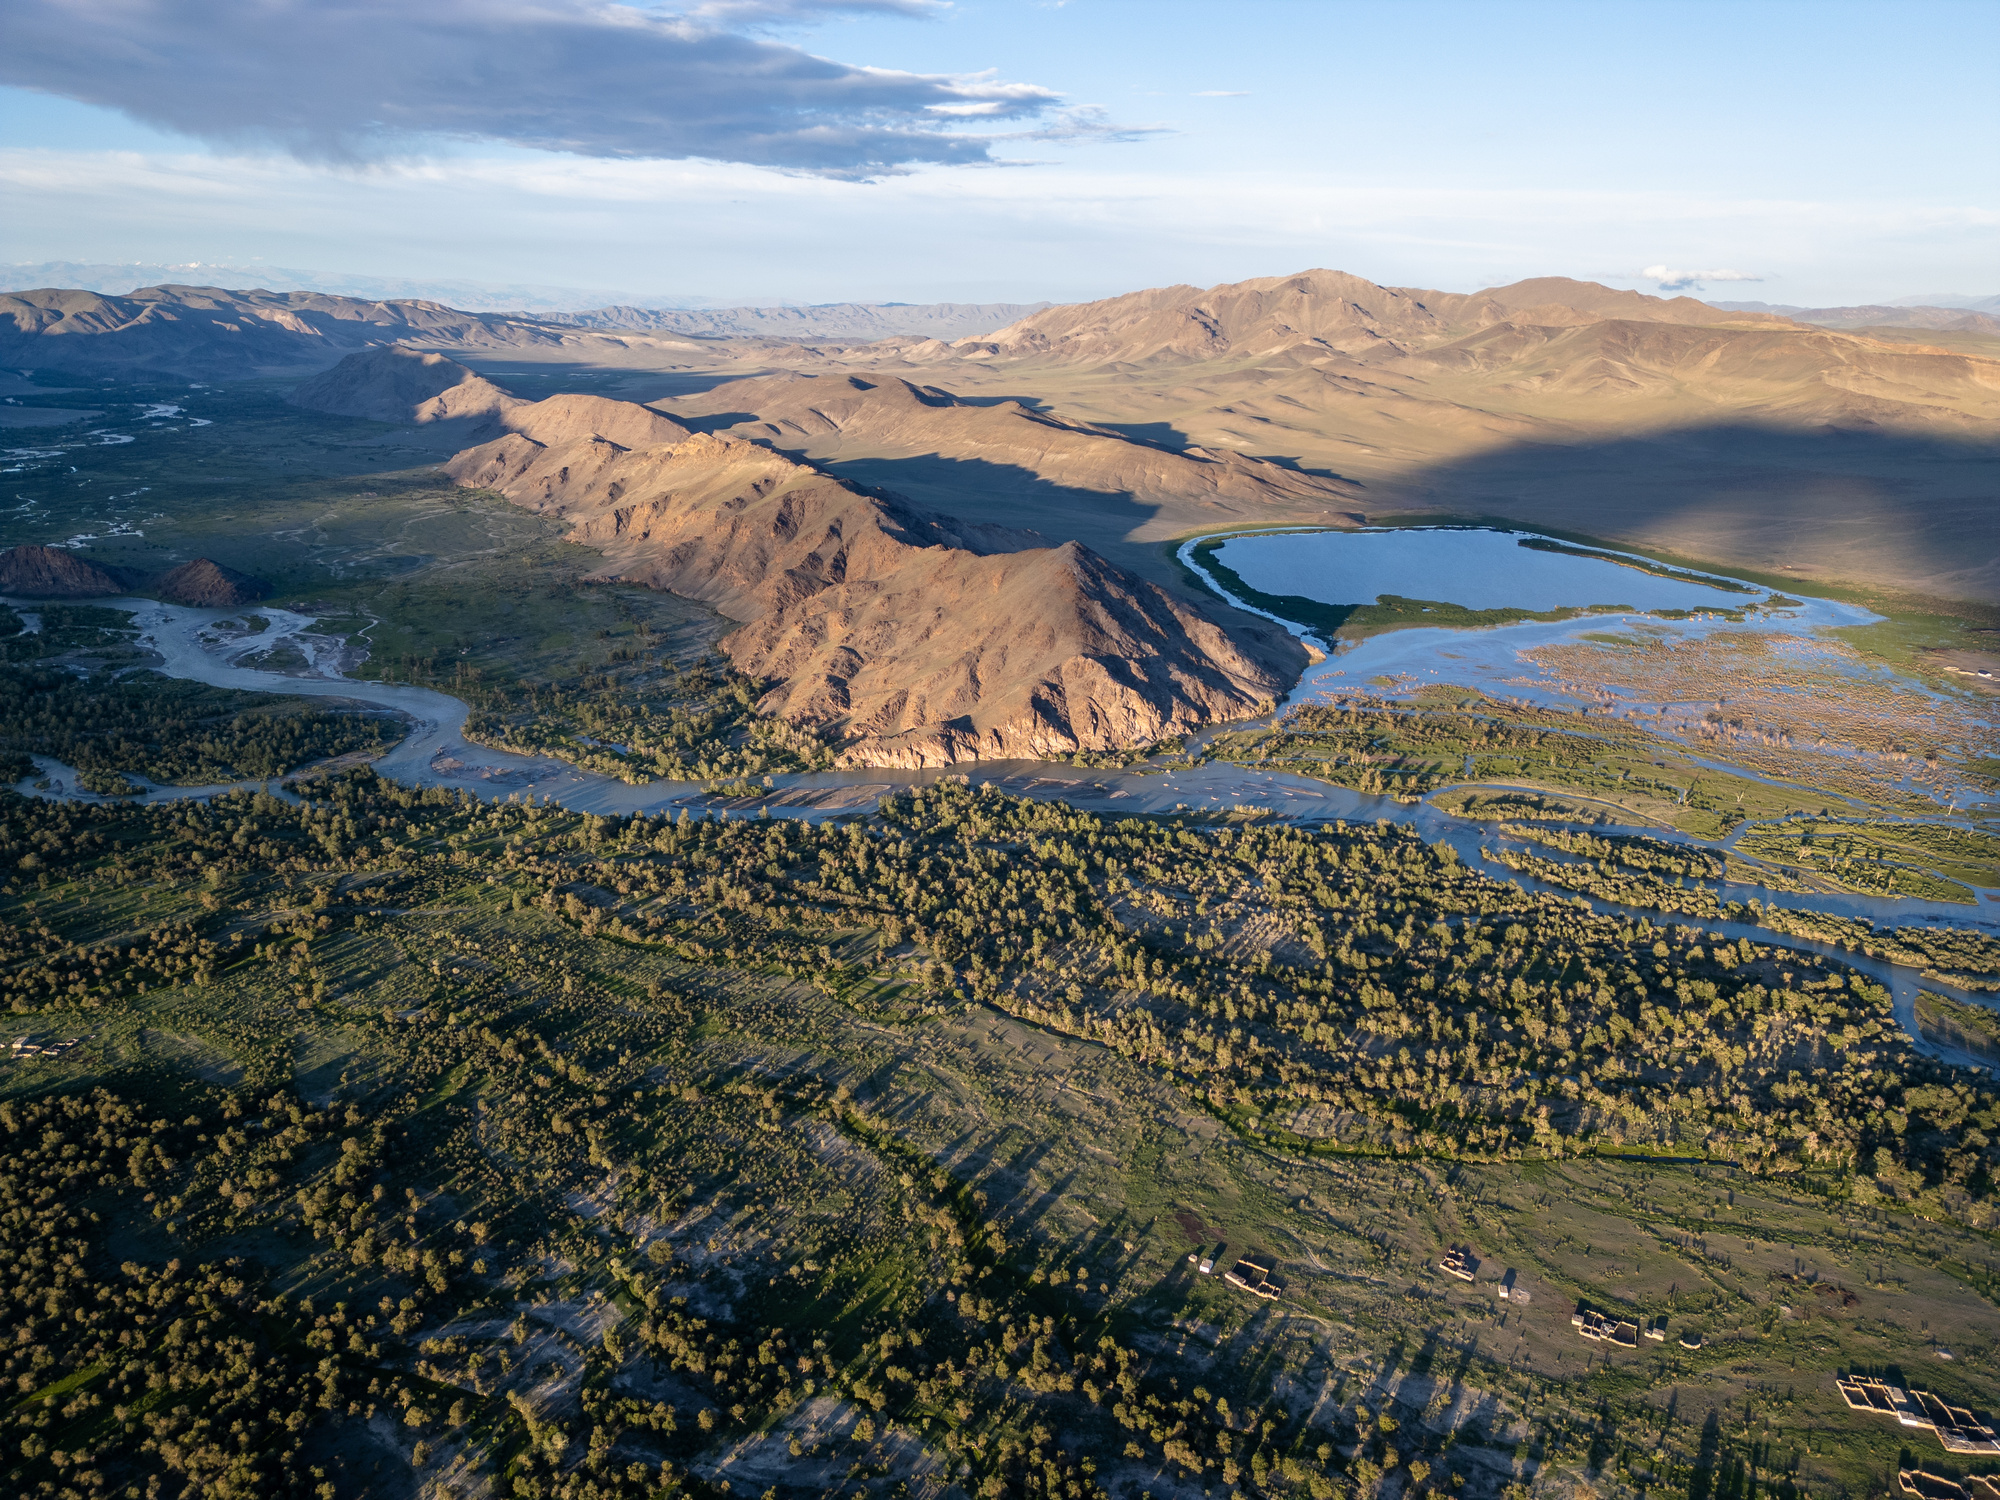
{"type": "Point", "coordinates": [365, 81]}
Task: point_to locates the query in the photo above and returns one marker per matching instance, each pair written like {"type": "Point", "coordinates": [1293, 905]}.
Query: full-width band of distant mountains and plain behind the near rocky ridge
{"type": "Point", "coordinates": [1549, 401]}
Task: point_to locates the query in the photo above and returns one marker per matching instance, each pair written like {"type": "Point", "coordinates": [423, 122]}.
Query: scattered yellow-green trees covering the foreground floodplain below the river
{"type": "Point", "coordinates": [395, 1251]}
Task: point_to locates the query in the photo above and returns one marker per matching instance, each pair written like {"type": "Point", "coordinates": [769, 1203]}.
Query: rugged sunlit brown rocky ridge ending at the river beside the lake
{"type": "Point", "coordinates": [913, 639]}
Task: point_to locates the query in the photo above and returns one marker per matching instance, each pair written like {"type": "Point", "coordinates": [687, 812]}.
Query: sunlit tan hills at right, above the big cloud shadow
{"type": "Point", "coordinates": [1549, 353]}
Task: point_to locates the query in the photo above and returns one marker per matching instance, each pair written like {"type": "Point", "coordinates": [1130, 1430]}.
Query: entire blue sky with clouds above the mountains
{"type": "Point", "coordinates": [1015, 149]}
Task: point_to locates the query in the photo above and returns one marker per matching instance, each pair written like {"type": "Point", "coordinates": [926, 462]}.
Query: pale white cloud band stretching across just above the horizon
{"type": "Point", "coordinates": [1083, 227]}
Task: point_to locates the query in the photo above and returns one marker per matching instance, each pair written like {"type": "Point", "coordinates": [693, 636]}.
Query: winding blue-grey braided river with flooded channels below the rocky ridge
{"type": "Point", "coordinates": [189, 643]}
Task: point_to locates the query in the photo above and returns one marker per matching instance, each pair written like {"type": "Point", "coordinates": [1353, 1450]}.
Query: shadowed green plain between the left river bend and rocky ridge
{"type": "Point", "coordinates": [351, 521]}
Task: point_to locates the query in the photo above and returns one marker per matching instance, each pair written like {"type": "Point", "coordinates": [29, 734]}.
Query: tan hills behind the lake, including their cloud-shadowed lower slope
{"type": "Point", "coordinates": [1733, 437]}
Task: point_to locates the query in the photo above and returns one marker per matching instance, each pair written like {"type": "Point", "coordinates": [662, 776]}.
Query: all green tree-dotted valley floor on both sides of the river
{"type": "Point", "coordinates": [415, 1143]}
